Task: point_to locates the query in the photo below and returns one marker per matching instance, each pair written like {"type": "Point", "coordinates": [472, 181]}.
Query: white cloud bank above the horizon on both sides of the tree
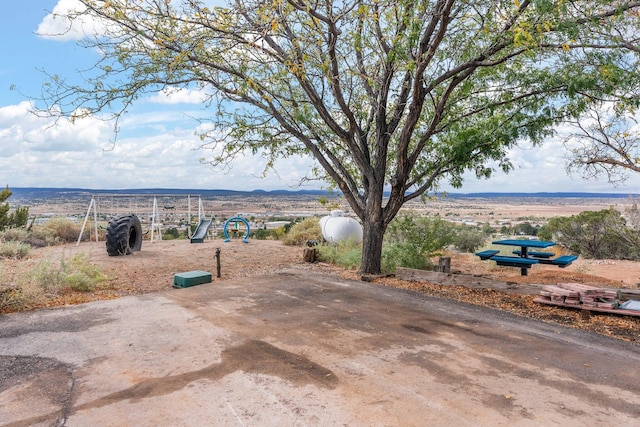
{"type": "Point", "coordinates": [162, 150]}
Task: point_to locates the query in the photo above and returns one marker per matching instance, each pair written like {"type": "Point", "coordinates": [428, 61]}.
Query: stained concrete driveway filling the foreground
{"type": "Point", "coordinates": [305, 348]}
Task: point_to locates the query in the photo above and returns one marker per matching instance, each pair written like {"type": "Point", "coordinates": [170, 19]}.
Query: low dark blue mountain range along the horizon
{"type": "Point", "coordinates": [46, 193]}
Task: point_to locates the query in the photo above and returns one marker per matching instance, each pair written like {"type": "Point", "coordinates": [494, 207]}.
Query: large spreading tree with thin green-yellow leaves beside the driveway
{"type": "Point", "coordinates": [389, 96]}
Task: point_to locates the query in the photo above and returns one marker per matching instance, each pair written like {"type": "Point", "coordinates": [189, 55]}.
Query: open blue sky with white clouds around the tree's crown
{"type": "Point", "coordinates": [157, 146]}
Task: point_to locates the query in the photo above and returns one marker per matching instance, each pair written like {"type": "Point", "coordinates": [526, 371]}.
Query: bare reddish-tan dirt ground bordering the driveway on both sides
{"type": "Point", "coordinates": [153, 268]}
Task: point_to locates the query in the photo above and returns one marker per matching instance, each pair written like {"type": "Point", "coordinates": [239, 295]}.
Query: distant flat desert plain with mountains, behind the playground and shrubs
{"type": "Point", "coordinates": [177, 207]}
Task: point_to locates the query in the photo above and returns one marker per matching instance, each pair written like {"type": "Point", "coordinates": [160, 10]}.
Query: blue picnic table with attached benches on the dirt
{"type": "Point", "coordinates": [525, 256]}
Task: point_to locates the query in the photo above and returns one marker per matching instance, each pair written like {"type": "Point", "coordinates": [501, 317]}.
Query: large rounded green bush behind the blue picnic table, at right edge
{"type": "Point", "coordinates": [594, 234]}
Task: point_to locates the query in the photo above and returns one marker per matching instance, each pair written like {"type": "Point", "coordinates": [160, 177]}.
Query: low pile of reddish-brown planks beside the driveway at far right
{"type": "Point", "coordinates": [585, 297]}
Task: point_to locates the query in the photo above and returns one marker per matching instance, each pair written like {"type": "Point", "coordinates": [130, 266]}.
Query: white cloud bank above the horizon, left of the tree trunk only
{"type": "Point", "coordinates": [39, 152]}
